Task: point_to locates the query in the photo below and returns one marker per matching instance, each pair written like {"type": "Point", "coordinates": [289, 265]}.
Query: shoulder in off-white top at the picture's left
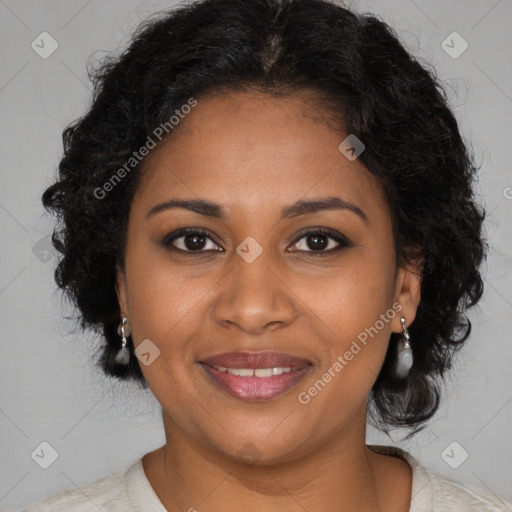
{"type": "Point", "coordinates": [108, 494]}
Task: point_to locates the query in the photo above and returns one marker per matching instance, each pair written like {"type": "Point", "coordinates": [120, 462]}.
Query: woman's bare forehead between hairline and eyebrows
{"type": "Point", "coordinates": [250, 151]}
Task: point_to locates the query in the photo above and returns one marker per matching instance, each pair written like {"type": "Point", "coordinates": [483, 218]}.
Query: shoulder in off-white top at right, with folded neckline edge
{"type": "Point", "coordinates": [432, 490]}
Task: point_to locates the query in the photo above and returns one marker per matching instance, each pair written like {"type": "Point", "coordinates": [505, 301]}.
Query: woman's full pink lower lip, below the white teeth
{"type": "Point", "coordinates": [256, 388]}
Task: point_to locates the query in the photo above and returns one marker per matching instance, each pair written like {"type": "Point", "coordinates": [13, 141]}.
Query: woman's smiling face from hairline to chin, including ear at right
{"type": "Point", "coordinates": [259, 287]}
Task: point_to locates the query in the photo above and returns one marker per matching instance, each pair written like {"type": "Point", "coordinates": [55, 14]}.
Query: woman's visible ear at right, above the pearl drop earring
{"type": "Point", "coordinates": [407, 293]}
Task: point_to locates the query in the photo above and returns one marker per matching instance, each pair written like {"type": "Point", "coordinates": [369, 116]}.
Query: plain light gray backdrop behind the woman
{"type": "Point", "coordinates": [50, 389]}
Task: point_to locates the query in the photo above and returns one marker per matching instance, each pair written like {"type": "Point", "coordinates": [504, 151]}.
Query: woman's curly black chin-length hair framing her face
{"type": "Point", "coordinates": [357, 68]}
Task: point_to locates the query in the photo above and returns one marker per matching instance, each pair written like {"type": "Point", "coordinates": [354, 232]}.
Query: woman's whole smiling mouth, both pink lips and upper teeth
{"type": "Point", "coordinates": [255, 376]}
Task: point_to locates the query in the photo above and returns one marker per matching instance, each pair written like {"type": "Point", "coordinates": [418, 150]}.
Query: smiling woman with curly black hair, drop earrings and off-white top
{"type": "Point", "coordinates": [268, 211]}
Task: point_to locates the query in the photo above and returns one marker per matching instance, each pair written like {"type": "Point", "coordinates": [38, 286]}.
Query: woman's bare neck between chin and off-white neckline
{"type": "Point", "coordinates": [343, 474]}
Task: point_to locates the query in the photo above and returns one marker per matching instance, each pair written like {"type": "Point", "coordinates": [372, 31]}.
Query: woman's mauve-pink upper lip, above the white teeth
{"type": "Point", "coordinates": [267, 359]}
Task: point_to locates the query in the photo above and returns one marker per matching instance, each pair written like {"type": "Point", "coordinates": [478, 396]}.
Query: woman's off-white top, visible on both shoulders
{"type": "Point", "coordinates": [130, 491]}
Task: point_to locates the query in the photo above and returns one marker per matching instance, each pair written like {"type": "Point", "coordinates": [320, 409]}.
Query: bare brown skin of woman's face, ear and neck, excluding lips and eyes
{"type": "Point", "coordinates": [254, 154]}
